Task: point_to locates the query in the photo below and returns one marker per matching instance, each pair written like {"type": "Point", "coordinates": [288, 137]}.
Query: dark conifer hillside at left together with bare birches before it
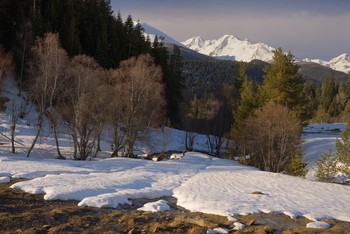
{"type": "Point", "coordinates": [82, 63]}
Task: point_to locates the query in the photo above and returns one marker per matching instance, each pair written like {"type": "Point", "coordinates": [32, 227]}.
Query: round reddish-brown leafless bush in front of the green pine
{"type": "Point", "coordinates": [272, 137]}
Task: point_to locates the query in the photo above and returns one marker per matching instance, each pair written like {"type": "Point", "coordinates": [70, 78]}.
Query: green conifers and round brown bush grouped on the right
{"type": "Point", "coordinates": [269, 117]}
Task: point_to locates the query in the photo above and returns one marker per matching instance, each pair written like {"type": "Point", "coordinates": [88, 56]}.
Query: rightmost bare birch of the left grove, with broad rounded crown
{"type": "Point", "coordinates": [140, 90]}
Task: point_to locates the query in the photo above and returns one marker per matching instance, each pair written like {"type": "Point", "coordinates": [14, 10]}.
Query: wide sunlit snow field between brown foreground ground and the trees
{"type": "Point", "coordinates": [199, 182]}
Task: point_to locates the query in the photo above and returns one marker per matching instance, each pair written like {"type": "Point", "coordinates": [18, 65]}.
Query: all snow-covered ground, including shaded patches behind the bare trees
{"type": "Point", "coordinates": [198, 181]}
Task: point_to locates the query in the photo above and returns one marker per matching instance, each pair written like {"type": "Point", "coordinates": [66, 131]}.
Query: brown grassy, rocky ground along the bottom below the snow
{"type": "Point", "coordinates": [25, 213]}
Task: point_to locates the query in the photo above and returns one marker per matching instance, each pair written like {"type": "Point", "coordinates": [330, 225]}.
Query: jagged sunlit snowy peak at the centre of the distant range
{"type": "Point", "coordinates": [230, 47]}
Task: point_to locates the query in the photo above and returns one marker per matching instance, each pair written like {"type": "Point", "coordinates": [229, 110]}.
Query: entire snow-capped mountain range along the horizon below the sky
{"type": "Point", "coordinates": [229, 47]}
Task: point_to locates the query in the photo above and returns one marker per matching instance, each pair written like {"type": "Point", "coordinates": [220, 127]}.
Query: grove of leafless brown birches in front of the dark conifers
{"type": "Point", "coordinates": [79, 97]}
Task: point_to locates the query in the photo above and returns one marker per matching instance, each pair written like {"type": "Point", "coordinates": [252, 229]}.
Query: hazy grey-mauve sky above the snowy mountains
{"type": "Point", "coordinates": [307, 28]}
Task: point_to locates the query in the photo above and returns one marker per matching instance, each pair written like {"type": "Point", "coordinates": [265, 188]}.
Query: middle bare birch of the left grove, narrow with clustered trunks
{"type": "Point", "coordinates": [84, 81]}
